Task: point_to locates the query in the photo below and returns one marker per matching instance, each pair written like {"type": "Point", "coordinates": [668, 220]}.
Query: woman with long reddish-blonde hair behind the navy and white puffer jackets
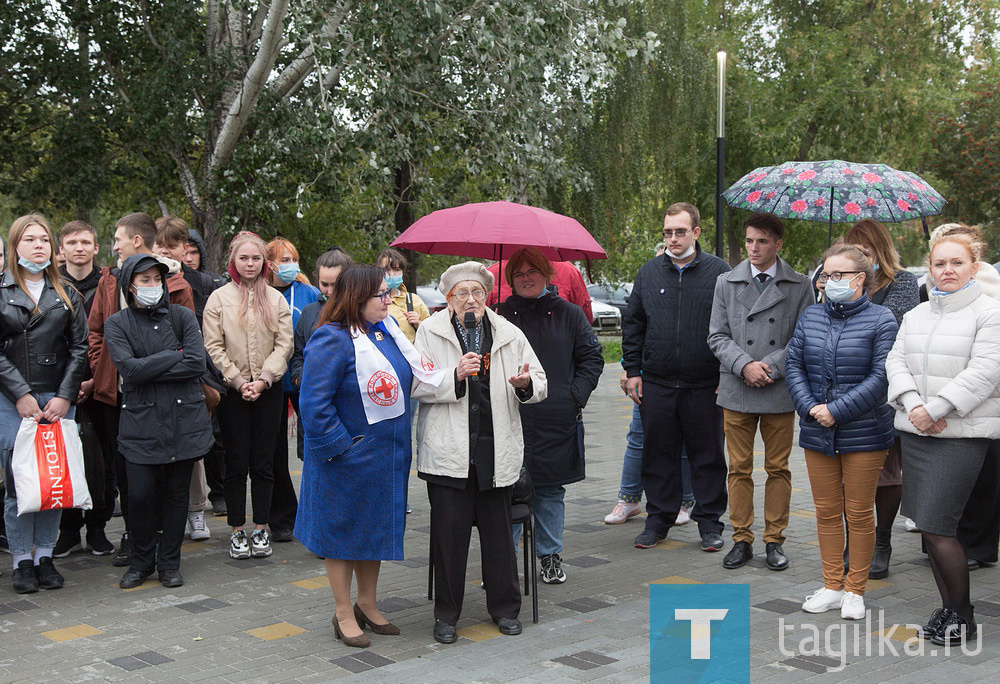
{"type": "Point", "coordinates": [896, 289]}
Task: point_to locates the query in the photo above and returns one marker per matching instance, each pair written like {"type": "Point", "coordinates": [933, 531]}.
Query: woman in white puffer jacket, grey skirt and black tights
{"type": "Point", "coordinates": [943, 374]}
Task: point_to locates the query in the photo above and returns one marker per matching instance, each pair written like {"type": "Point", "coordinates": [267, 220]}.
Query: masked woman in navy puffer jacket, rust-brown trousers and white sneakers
{"type": "Point", "coordinates": [835, 372]}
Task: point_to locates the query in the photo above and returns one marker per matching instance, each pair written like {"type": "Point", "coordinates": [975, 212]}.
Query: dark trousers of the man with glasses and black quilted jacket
{"type": "Point", "coordinates": [671, 419]}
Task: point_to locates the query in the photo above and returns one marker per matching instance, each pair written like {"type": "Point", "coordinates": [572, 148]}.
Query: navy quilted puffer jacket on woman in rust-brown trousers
{"type": "Point", "coordinates": [837, 357]}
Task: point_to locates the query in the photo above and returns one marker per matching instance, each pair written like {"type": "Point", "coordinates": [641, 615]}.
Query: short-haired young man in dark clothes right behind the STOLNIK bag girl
{"type": "Point", "coordinates": [78, 241]}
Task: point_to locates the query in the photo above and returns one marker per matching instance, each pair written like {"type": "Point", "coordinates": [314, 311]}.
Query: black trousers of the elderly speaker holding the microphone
{"type": "Point", "coordinates": [453, 513]}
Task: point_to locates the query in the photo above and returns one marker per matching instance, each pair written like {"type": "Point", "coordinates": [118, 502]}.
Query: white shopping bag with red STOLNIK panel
{"type": "Point", "coordinates": [47, 466]}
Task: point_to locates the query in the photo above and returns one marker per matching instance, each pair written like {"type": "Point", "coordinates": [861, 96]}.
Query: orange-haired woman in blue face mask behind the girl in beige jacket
{"type": "Point", "coordinates": [285, 276]}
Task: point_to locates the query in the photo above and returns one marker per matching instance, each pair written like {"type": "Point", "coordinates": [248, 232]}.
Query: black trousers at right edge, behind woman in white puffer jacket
{"type": "Point", "coordinates": [979, 527]}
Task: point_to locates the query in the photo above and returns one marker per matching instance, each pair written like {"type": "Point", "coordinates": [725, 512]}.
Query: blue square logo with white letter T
{"type": "Point", "coordinates": [699, 633]}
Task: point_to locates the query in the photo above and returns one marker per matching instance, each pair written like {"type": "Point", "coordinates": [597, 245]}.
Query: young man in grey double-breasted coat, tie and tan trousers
{"type": "Point", "coordinates": [754, 313]}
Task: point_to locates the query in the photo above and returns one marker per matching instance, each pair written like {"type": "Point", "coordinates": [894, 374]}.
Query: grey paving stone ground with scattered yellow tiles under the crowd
{"type": "Point", "coordinates": [269, 620]}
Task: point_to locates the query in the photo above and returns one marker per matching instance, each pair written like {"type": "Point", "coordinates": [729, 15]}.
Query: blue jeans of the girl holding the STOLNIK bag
{"type": "Point", "coordinates": [31, 530]}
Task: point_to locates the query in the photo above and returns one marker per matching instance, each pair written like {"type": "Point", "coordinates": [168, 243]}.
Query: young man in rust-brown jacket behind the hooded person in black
{"type": "Point", "coordinates": [134, 234]}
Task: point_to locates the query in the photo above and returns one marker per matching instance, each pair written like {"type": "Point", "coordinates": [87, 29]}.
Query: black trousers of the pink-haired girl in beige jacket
{"type": "Point", "coordinates": [249, 430]}
